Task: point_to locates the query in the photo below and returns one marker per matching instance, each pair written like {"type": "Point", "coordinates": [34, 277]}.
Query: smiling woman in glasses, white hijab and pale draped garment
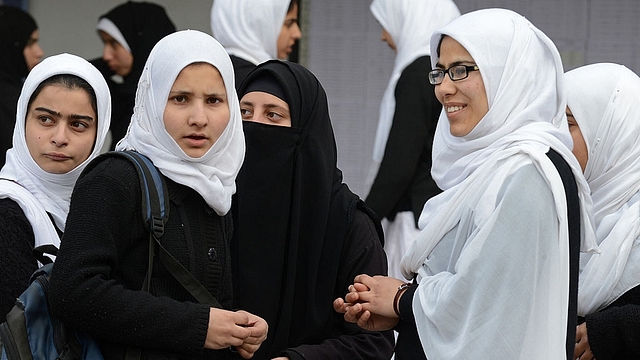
{"type": "Point", "coordinates": [491, 265]}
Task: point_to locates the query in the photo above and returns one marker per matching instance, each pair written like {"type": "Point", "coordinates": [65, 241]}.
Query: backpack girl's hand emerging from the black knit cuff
{"type": "Point", "coordinates": [226, 328]}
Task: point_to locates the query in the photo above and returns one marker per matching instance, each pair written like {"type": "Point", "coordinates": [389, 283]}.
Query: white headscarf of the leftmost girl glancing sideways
{"type": "Point", "coordinates": [40, 192]}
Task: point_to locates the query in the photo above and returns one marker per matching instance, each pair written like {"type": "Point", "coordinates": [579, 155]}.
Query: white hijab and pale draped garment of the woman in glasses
{"type": "Point", "coordinates": [523, 77]}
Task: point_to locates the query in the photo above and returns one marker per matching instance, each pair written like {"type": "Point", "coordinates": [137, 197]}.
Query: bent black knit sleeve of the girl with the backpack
{"type": "Point", "coordinates": [96, 281]}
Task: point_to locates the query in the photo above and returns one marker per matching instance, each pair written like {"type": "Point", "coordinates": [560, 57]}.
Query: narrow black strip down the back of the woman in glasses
{"type": "Point", "coordinates": [573, 210]}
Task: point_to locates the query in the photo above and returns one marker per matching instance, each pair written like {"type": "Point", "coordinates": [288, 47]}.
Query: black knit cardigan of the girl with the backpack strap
{"type": "Point", "coordinates": [103, 259]}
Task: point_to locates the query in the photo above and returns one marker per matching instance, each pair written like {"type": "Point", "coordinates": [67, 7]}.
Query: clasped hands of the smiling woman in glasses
{"type": "Point", "coordinates": [369, 302]}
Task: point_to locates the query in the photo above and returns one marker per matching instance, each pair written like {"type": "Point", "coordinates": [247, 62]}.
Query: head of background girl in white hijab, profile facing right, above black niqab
{"type": "Point", "coordinates": [254, 31]}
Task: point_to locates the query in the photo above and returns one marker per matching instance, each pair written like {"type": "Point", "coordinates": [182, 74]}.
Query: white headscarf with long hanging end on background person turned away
{"type": "Point", "coordinates": [410, 24]}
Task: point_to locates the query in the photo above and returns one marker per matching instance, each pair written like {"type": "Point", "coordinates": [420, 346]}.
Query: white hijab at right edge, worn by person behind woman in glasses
{"type": "Point", "coordinates": [604, 101]}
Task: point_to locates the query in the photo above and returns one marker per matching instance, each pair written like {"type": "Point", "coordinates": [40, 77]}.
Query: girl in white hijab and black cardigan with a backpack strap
{"type": "Point", "coordinates": [187, 121]}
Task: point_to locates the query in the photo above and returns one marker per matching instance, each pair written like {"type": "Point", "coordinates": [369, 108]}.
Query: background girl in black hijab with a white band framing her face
{"type": "Point", "coordinates": [129, 32]}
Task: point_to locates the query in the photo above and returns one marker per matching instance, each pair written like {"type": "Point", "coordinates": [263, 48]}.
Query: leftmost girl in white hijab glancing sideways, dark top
{"type": "Point", "coordinates": [62, 120]}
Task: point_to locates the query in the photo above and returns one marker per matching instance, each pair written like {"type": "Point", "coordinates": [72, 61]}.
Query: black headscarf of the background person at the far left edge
{"type": "Point", "coordinates": [16, 27]}
